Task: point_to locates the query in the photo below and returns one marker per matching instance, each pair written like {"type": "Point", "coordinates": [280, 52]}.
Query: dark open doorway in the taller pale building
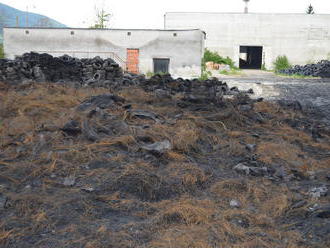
{"type": "Point", "coordinates": [250, 57]}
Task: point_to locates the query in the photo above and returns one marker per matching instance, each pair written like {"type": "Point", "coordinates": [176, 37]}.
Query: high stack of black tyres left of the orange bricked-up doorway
{"type": "Point", "coordinates": [46, 68]}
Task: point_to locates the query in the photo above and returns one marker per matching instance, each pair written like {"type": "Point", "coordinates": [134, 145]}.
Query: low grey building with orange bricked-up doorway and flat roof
{"type": "Point", "coordinates": [178, 52]}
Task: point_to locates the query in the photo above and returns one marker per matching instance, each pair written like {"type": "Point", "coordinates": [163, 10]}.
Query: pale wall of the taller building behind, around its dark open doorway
{"type": "Point", "coordinates": [302, 38]}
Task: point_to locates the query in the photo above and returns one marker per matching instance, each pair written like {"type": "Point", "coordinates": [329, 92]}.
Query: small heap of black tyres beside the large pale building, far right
{"type": "Point", "coordinates": [321, 69]}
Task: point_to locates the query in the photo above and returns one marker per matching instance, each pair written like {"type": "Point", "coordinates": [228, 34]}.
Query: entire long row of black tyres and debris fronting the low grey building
{"type": "Point", "coordinates": [97, 72]}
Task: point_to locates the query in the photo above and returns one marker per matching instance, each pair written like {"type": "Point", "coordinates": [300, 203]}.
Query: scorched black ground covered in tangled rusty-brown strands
{"type": "Point", "coordinates": [94, 185]}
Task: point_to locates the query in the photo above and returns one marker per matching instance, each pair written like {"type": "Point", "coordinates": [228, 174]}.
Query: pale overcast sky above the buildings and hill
{"type": "Point", "coordinates": [149, 13]}
